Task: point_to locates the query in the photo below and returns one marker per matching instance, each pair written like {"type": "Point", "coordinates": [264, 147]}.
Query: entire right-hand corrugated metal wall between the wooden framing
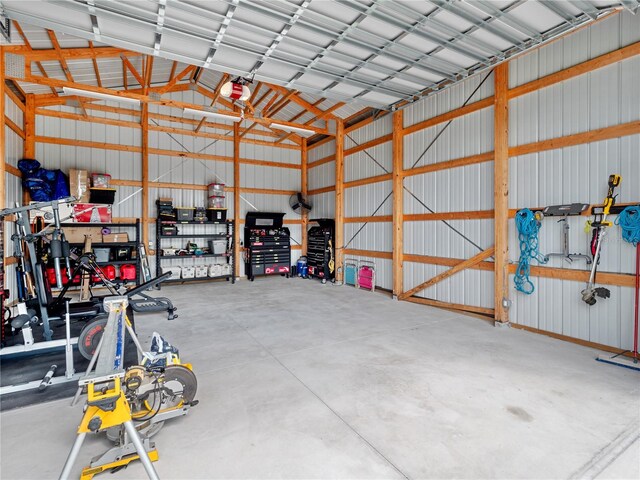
{"type": "Point", "coordinates": [604, 97]}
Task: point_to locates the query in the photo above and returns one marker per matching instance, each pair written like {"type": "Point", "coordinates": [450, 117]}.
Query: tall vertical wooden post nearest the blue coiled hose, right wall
{"type": "Point", "coordinates": [501, 189]}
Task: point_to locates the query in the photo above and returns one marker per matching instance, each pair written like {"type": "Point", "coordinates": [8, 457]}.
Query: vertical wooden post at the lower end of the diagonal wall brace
{"type": "Point", "coordinates": [398, 204]}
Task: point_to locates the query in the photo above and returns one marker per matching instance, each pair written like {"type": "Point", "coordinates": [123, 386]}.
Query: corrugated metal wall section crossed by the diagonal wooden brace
{"type": "Point", "coordinates": [454, 190]}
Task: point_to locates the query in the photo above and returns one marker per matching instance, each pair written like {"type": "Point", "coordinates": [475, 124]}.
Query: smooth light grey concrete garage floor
{"type": "Point", "coordinates": [301, 380]}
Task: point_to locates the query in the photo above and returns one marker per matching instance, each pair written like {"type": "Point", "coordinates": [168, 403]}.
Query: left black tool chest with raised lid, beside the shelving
{"type": "Point", "coordinates": [267, 245]}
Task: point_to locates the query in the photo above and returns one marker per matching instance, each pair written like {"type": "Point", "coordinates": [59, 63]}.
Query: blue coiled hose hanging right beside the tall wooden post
{"type": "Point", "coordinates": [528, 227]}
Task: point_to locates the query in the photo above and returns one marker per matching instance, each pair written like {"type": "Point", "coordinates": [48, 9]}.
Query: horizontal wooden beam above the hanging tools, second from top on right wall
{"type": "Point", "coordinates": [606, 133]}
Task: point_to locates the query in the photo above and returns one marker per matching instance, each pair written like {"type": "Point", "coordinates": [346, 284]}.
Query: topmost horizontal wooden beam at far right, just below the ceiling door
{"type": "Point", "coordinates": [580, 69]}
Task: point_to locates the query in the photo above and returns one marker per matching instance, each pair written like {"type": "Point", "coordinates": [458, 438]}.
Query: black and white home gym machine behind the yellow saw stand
{"type": "Point", "coordinates": [36, 307]}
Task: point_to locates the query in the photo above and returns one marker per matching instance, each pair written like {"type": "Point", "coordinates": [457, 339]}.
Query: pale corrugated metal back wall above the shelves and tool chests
{"type": "Point", "coordinates": [171, 168]}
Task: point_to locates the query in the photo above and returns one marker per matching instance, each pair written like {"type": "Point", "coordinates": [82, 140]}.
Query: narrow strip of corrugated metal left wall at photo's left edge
{"type": "Point", "coordinates": [13, 186]}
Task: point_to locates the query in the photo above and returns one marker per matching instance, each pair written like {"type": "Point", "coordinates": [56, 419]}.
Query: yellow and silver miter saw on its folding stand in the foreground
{"type": "Point", "coordinates": [130, 405]}
